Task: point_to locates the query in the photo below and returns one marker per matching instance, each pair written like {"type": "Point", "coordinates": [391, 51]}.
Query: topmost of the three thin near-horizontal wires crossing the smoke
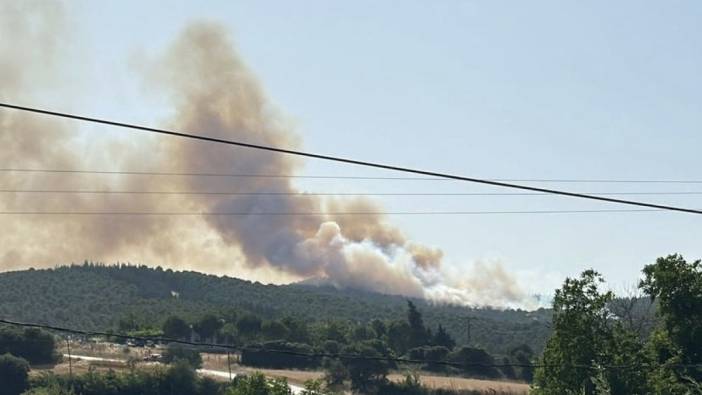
{"type": "Point", "coordinates": [239, 175]}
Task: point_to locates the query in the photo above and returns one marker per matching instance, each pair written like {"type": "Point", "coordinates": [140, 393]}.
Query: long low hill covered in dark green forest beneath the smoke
{"type": "Point", "coordinates": [97, 297]}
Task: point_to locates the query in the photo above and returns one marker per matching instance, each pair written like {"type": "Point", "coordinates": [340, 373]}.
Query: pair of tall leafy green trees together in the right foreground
{"type": "Point", "coordinates": [596, 349]}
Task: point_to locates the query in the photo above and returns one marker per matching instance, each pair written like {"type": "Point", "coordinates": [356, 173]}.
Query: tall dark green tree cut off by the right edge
{"type": "Point", "coordinates": [677, 286]}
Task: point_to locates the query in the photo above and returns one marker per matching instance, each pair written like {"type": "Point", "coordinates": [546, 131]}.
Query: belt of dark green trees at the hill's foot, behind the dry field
{"type": "Point", "coordinates": [293, 343]}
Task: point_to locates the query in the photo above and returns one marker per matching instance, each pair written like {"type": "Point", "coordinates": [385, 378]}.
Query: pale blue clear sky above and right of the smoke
{"type": "Point", "coordinates": [494, 89]}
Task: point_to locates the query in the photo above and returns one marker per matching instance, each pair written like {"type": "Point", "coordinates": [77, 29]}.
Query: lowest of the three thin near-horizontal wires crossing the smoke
{"type": "Point", "coordinates": [321, 213]}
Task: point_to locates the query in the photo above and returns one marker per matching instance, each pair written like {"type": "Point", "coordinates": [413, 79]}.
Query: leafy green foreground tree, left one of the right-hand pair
{"type": "Point", "coordinates": [584, 341]}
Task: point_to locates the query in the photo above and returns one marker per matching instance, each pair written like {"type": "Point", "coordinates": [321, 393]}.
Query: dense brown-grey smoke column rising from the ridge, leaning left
{"type": "Point", "coordinates": [215, 94]}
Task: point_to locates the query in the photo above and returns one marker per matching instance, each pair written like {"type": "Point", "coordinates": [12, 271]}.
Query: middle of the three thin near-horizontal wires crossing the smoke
{"type": "Point", "coordinates": [304, 194]}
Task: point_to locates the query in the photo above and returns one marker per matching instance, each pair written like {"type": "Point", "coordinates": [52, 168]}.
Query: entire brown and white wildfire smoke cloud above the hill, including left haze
{"type": "Point", "coordinates": [212, 93]}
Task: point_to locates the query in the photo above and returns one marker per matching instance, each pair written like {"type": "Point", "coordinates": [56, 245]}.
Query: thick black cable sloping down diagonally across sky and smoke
{"type": "Point", "coordinates": [347, 160]}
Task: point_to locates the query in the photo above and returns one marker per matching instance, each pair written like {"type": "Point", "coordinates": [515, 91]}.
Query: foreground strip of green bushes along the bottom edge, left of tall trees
{"type": "Point", "coordinates": [179, 375]}
